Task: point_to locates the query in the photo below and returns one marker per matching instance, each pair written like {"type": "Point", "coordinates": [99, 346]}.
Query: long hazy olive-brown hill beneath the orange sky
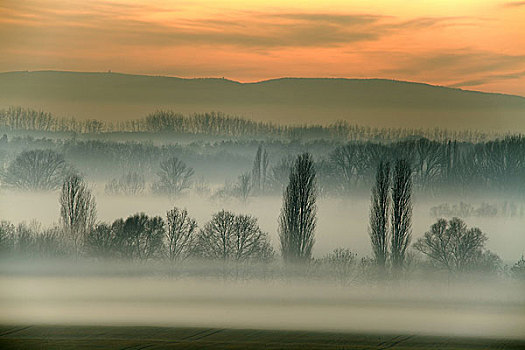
{"type": "Point", "coordinates": [375, 102]}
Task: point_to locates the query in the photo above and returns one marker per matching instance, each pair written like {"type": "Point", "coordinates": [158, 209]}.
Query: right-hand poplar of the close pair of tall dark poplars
{"type": "Point", "coordinates": [401, 212]}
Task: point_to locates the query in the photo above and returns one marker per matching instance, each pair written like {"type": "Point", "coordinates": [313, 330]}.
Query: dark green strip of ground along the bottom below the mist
{"type": "Point", "coordinates": [76, 337]}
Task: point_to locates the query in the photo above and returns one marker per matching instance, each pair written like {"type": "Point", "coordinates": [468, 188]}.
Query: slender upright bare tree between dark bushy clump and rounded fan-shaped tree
{"type": "Point", "coordinates": [180, 234]}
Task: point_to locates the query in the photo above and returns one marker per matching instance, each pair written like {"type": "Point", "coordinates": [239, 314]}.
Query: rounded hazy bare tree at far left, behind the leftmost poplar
{"type": "Point", "coordinates": [36, 170]}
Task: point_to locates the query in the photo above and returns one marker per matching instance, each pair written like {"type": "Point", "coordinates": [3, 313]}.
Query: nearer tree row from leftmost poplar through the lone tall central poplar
{"type": "Point", "coordinates": [225, 237]}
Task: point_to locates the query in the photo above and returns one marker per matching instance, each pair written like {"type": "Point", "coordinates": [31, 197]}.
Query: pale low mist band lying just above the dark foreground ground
{"type": "Point", "coordinates": [491, 308]}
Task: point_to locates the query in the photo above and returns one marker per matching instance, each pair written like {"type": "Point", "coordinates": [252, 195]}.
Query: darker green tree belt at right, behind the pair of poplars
{"type": "Point", "coordinates": [497, 165]}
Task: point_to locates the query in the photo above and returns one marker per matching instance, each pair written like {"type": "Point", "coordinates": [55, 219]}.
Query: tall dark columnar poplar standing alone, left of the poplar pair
{"type": "Point", "coordinates": [298, 220]}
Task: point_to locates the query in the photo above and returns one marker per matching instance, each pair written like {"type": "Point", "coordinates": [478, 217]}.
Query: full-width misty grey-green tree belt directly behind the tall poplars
{"type": "Point", "coordinates": [496, 165]}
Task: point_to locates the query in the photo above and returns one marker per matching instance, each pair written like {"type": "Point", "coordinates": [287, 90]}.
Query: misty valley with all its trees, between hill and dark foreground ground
{"type": "Point", "coordinates": [210, 220]}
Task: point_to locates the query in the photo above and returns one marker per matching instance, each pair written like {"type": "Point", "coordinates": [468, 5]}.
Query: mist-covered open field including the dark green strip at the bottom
{"type": "Point", "coordinates": [206, 311]}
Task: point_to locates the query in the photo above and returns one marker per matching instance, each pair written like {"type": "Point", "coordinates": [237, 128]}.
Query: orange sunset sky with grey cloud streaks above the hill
{"type": "Point", "coordinates": [473, 44]}
